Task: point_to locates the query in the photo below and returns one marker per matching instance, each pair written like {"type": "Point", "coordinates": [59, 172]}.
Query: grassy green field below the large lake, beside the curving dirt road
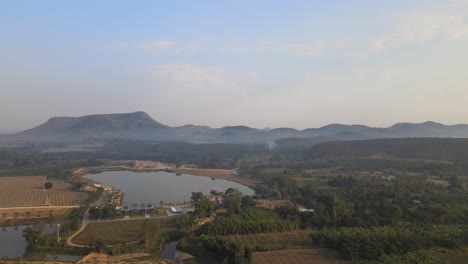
{"type": "Point", "coordinates": [118, 232]}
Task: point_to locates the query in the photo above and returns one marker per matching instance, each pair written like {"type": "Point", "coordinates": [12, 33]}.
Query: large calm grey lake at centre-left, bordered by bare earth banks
{"type": "Point", "coordinates": [153, 187]}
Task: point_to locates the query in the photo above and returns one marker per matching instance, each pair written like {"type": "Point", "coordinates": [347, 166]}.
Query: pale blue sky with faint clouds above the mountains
{"type": "Point", "coordinates": [259, 63]}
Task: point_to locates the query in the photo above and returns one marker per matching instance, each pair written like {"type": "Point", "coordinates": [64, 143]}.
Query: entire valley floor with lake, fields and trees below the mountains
{"type": "Point", "coordinates": [254, 203]}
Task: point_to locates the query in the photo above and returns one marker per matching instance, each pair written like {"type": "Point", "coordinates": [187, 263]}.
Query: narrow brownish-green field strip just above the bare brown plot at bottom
{"type": "Point", "coordinates": [275, 241]}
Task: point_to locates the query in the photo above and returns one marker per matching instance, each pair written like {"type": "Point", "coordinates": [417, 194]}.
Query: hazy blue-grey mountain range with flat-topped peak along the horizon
{"type": "Point", "coordinates": [139, 125]}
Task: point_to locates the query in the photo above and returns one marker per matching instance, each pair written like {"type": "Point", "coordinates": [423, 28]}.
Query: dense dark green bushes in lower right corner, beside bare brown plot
{"type": "Point", "coordinates": [374, 243]}
